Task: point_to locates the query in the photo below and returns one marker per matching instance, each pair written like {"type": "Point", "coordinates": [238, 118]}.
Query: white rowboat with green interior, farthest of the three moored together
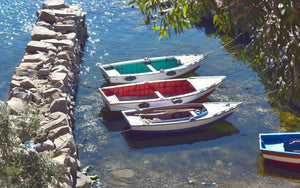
{"type": "Point", "coordinates": [157, 68]}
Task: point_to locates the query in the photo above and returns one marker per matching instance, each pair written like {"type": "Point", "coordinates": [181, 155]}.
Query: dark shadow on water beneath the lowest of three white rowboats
{"type": "Point", "coordinates": [213, 131]}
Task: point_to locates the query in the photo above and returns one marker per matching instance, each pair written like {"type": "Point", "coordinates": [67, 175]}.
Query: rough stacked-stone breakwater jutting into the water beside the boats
{"type": "Point", "coordinates": [47, 78]}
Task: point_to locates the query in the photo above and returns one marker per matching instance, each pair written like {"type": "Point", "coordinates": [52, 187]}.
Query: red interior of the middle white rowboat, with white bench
{"type": "Point", "coordinates": [150, 90]}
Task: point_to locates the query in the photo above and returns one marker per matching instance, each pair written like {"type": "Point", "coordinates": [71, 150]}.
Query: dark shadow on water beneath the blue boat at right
{"type": "Point", "coordinates": [274, 169]}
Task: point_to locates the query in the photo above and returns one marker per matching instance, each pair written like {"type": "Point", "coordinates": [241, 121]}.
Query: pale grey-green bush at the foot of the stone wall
{"type": "Point", "coordinates": [21, 167]}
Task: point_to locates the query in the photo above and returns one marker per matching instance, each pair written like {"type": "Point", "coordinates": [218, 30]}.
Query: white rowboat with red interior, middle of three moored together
{"type": "Point", "coordinates": [159, 92]}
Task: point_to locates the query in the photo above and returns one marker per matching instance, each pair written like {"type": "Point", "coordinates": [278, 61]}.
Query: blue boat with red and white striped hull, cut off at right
{"type": "Point", "coordinates": [281, 147]}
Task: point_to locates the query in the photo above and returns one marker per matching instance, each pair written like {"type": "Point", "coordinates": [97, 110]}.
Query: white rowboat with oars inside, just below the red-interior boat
{"type": "Point", "coordinates": [178, 117]}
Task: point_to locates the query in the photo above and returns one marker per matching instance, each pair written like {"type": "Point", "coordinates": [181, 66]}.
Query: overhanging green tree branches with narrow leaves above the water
{"type": "Point", "coordinates": [273, 26]}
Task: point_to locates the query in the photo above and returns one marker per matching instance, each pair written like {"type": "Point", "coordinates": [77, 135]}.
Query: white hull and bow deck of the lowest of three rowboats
{"type": "Point", "coordinates": [216, 111]}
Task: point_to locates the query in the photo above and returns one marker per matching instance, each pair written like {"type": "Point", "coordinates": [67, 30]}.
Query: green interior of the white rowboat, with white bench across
{"type": "Point", "coordinates": [145, 66]}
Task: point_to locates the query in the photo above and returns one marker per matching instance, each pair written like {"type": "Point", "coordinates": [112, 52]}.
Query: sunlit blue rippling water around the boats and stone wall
{"type": "Point", "coordinates": [224, 154]}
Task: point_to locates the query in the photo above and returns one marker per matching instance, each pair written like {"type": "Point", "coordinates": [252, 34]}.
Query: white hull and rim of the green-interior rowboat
{"type": "Point", "coordinates": [189, 64]}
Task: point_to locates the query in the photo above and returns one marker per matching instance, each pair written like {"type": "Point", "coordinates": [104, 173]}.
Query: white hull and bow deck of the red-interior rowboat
{"type": "Point", "coordinates": [203, 87]}
